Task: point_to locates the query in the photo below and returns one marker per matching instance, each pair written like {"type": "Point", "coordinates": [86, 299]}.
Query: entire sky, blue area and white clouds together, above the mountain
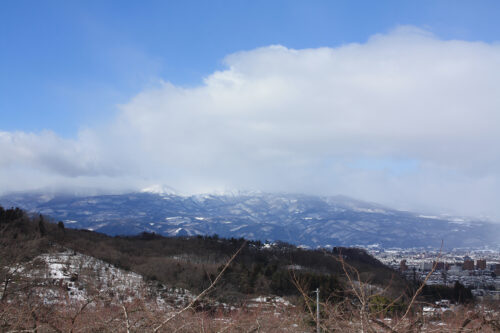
{"type": "Point", "coordinates": [395, 102]}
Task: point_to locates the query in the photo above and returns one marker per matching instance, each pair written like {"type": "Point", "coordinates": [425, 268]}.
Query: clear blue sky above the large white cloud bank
{"type": "Point", "coordinates": [64, 65]}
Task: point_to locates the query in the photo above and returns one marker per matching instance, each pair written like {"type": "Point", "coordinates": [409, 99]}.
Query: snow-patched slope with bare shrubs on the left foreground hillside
{"type": "Point", "coordinates": [73, 277]}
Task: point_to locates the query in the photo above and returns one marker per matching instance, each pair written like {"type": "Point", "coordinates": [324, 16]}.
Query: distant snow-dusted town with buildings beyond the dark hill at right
{"type": "Point", "coordinates": [478, 270]}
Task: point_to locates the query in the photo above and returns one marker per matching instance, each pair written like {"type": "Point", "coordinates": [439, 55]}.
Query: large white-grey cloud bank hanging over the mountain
{"type": "Point", "coordinates": [405, 119]}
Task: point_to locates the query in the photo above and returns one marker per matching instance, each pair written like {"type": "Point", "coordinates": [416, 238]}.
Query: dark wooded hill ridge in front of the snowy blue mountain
{"type": "Point", "coordinates": [193, 262]}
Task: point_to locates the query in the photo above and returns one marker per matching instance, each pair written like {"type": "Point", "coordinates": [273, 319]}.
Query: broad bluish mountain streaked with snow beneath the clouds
{"type": "Point", "coordinates": [298, 219]}
